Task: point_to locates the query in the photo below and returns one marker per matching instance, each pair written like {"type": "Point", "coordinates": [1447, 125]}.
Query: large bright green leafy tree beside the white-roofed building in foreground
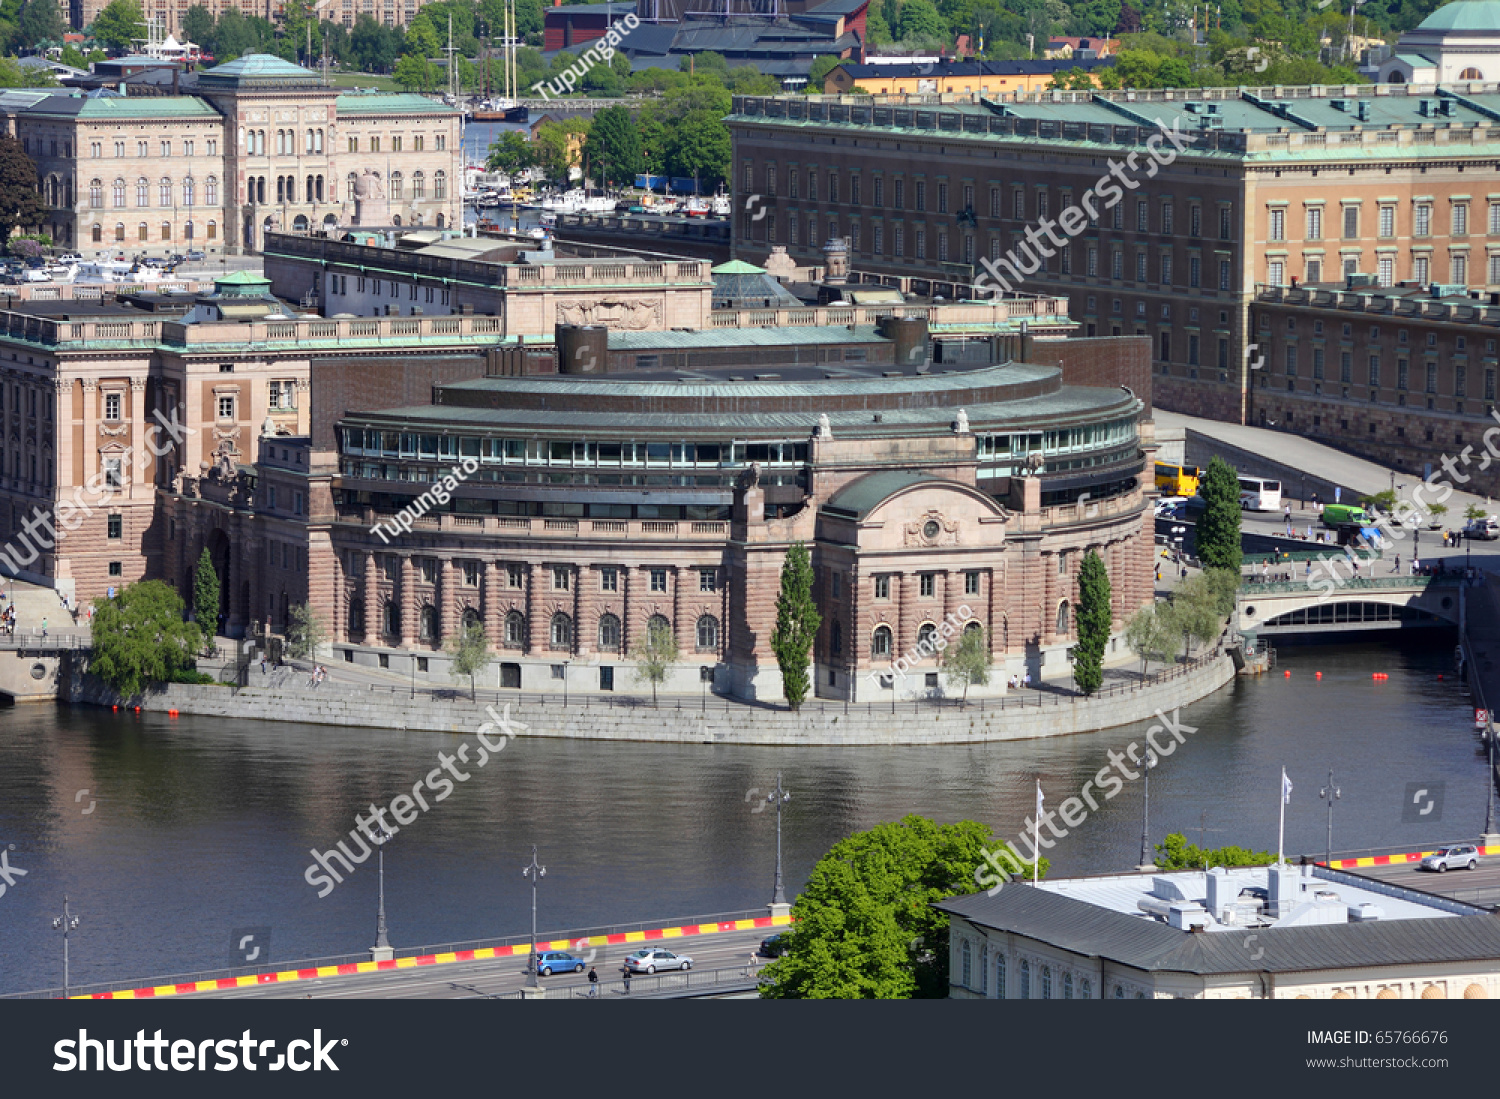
{"type": "Point", "coordinates": [865, 926]}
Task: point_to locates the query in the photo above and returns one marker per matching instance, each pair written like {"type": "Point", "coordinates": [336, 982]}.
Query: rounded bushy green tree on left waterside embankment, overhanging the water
{"type": "Point", "coordinates": [140, 638]}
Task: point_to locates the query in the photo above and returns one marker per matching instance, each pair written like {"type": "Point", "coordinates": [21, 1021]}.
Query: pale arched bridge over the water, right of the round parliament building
{"type": "Point", "coordinates": [1322, 605]}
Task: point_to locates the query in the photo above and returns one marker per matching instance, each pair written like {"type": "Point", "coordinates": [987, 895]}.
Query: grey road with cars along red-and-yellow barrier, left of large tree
{"type": "Point", "coordinates": [502, 977]}
